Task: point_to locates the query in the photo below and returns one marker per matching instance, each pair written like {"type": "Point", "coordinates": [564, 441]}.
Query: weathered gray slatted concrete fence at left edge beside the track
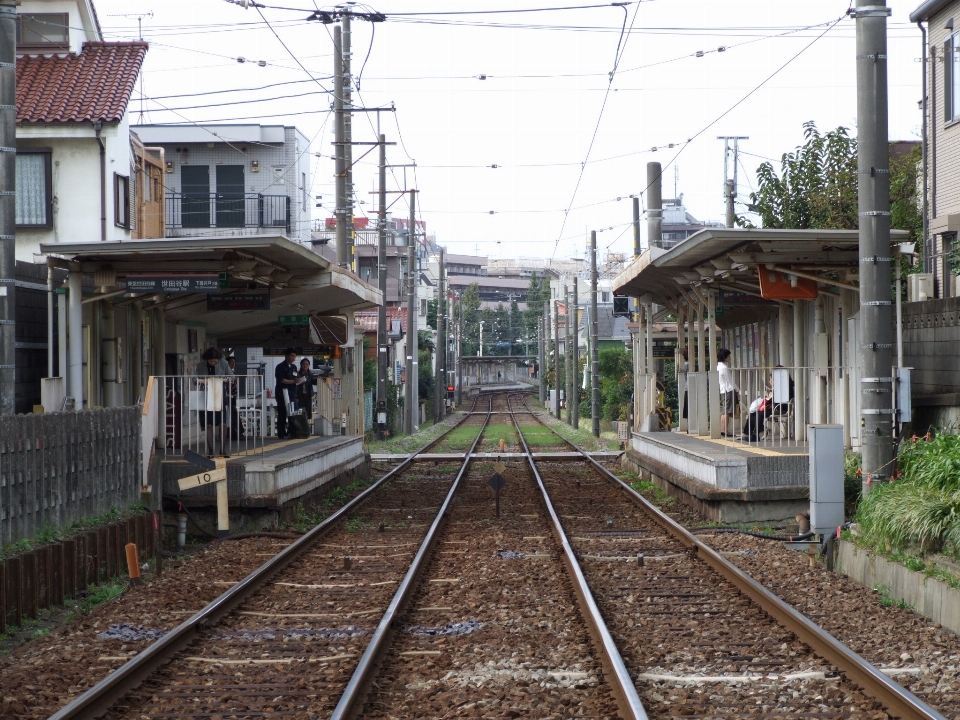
{"type": "Point", "coordinates": [57, 468]}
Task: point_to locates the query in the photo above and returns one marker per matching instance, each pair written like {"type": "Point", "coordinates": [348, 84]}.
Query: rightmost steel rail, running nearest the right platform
{"type": "Point", "coordinates": [895, 698]}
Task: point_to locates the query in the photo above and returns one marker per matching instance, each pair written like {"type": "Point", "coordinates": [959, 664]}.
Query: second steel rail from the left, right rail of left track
{"type": "Point", "coordinates": [350, 704]}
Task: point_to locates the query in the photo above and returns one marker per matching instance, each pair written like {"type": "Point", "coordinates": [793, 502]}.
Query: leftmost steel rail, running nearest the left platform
{"type": "Point", "coordinates": [98, 699]}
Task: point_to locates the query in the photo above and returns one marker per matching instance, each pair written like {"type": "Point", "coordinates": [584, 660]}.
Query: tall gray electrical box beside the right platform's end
{"type": "Point", "coordinates": [826, 478]}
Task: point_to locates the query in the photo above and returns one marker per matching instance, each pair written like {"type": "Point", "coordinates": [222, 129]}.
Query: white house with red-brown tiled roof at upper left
{"type": "Point", "coordinates": [73, 140]}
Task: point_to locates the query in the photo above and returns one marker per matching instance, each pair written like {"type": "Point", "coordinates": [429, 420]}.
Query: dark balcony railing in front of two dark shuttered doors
{"type": "Point", "coordinates": [219, 210]}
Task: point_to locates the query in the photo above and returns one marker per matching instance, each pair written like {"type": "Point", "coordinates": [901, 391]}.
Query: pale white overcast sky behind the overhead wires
{"type": "Point", "coordinates": [536, 113]}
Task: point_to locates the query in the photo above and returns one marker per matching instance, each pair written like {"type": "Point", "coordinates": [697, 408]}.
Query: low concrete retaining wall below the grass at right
{"type": "Point", "coordinates": [928, 596]}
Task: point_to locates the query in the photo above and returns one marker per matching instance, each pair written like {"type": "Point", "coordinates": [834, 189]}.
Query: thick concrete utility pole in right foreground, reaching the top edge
{"type": "Point", "coordinates": [875, 253]}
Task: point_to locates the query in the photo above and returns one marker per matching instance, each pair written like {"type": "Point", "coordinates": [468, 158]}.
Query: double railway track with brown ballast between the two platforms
{"type": "Point", "coordinates": [414, 601]}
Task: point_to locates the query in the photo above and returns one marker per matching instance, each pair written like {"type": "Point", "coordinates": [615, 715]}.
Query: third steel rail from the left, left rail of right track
{"type": "Point", "coordinates": [615, 669]}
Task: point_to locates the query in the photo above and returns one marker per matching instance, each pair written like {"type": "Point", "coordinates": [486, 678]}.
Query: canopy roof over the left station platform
{"type": "Point", "coordinates": [238, 286]}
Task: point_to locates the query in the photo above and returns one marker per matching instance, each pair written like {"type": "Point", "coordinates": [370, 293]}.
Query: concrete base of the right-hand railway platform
{"type": "Point", "coordinates": [725, 481]}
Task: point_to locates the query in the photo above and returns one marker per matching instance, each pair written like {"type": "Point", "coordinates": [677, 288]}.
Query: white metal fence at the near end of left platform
{"type": "Point", "coordinates": [209, 414]}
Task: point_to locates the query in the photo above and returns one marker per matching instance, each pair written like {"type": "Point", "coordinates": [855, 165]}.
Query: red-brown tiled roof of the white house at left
{"type": "Point", "coordinates": [94, 85]}
